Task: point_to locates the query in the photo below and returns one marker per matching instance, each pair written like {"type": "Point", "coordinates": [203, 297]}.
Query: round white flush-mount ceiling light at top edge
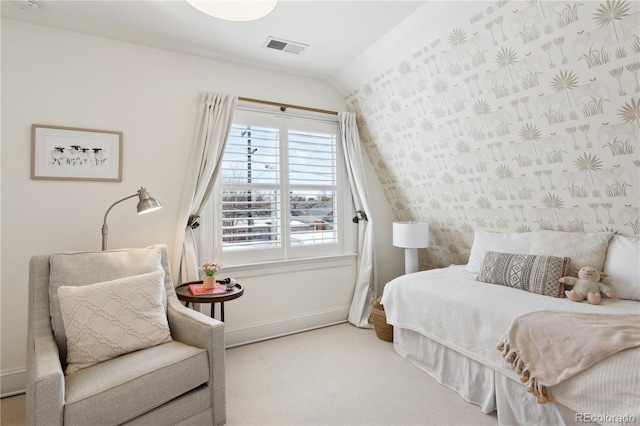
{"type": "Point", "coordinates": [235, 10]}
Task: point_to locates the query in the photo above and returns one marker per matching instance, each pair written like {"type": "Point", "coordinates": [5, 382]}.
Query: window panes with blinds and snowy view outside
{"type": "Point", "coordinates": [259, 166]}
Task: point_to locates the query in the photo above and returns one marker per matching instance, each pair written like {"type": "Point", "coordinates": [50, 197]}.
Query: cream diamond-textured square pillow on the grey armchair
{"type": "Point", "coordinates": [111, 318]}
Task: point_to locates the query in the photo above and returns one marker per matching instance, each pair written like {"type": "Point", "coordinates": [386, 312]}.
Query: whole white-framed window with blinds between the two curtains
{"type": "Point", "coordinates": [280, 194]}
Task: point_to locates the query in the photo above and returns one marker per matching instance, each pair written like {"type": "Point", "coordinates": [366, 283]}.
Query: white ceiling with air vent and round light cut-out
{"type": "Point", "coordinates": [335, 31]}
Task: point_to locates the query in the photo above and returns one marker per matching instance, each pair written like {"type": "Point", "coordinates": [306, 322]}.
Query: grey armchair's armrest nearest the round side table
{"type": "Point", "coordinates": [196, 329]}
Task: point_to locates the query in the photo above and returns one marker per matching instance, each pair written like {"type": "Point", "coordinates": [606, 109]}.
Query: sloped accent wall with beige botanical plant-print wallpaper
{"type": "Point", "coordinates": [526, 116]}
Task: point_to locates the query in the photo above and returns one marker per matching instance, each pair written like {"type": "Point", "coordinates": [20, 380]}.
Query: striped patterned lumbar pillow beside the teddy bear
{"type": "Point", "coordinates": [536, 274]}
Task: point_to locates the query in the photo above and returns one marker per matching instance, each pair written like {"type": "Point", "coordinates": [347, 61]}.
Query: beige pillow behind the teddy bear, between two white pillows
{"type": "Point", "coordinates": [584, 249]}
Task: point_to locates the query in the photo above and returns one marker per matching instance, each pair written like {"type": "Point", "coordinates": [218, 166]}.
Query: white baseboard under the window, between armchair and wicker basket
{"type": "Point", "coordinates": [256, 332]}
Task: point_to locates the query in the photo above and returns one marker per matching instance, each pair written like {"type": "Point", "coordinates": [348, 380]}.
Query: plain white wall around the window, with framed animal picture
{"type": "Point", "coordinates": [61, 78]}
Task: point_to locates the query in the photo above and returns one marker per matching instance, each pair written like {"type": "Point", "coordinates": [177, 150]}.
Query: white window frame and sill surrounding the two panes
{"type": "Point", "coordinates": [211, 223]}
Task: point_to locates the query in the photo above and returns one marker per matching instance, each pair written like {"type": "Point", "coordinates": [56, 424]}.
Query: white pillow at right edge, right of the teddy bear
{"type": "Point", "coordinates": [622, 266]}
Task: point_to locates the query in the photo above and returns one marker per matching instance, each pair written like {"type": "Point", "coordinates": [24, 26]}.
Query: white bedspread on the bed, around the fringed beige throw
{"type": "Point", "coordinates": [449, 306]}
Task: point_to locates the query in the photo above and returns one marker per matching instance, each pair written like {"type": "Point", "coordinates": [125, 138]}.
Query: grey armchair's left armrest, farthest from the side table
{"type": "Point", "coordinates": [45, 388]}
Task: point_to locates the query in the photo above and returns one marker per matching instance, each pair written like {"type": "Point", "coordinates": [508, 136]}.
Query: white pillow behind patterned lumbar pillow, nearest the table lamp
{"type": "Point", "coordinates": [484, 241]}
